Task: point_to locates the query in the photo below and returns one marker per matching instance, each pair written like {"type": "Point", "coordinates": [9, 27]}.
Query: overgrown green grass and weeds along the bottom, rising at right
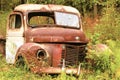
{"type": "Point", "coordinates": [105, 68]}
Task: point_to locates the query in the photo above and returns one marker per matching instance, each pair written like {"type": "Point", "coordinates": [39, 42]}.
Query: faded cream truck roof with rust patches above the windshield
{"type": "Point", "coordinates": [50, 7]}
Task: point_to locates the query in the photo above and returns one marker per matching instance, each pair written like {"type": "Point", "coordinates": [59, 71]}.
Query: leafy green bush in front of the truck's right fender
{"type": "Point", "coordinates": [100, 60]}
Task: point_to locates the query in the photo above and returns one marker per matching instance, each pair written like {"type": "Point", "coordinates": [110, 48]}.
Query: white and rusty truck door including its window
{"type": "Point", "coordinates": [14, 36]}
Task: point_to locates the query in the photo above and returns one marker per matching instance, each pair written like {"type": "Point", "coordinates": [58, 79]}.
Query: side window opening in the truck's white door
{"type": "Point", "coordinates": [15, 21]}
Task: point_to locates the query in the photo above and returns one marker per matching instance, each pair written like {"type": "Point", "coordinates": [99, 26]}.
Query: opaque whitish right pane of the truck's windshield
{"type": "Point", "coordinates": [67, 19]}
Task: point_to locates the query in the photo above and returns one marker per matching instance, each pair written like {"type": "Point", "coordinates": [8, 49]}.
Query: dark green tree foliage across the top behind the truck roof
{"type": "Point", "coordinates": [84, 6]}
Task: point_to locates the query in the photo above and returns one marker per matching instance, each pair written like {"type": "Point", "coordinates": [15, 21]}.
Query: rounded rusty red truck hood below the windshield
{"type": "Point", "coordinates": [55, 35]}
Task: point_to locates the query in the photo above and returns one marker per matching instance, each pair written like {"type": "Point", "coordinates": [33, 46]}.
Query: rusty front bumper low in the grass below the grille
{"type": "Point", "coordinates": [56, 70]}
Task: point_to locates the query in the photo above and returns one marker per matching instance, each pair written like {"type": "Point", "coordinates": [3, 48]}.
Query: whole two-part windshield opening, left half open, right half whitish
{"type": "Point", "coordinates": [54, 18]}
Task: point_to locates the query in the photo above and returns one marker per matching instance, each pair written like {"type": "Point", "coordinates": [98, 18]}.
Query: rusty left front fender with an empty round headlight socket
{"type": "Point", "coordinates": [33, 54]}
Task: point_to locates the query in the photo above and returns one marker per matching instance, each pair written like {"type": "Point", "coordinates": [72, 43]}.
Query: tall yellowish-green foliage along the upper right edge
{"type": "Point", "coordinates": [109, 23]}
